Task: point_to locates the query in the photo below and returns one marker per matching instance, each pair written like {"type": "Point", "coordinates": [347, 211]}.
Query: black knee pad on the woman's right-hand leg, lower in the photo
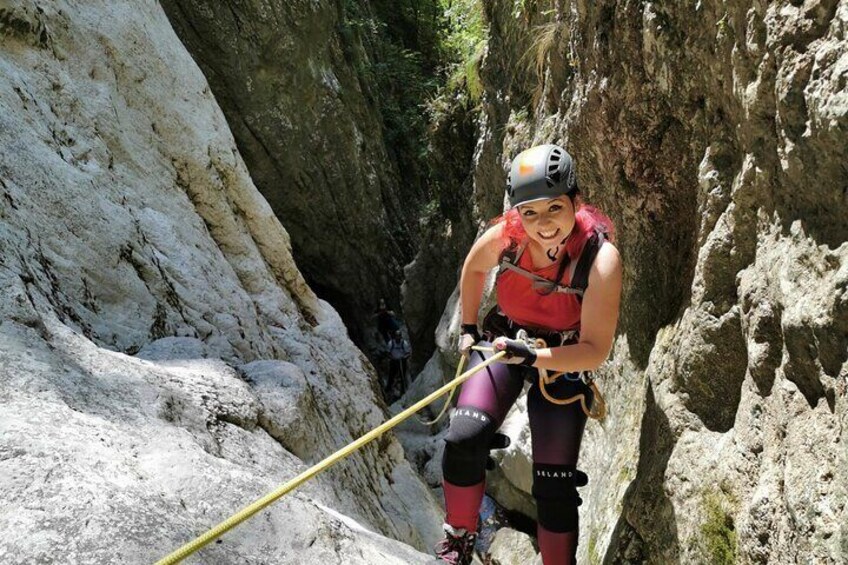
{"type": "Point", "coordinates": [555, 491]}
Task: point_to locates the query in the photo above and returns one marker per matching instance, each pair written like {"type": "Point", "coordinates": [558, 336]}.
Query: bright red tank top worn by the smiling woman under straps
{"type": "Point", "coordinates": [526, 306]}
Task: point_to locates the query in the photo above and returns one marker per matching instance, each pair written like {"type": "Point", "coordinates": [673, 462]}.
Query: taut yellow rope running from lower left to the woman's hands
{"type": "Point", "coordinates": [268, 499]}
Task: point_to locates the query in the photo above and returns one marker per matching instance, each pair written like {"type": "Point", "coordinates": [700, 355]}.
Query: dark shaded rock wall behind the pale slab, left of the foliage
{"type": "Point", "coordinates": [291, 78]}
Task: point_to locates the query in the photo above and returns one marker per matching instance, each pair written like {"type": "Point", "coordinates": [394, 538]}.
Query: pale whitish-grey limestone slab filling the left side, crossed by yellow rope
{"type": "Point", "coordinates": [162, 361]}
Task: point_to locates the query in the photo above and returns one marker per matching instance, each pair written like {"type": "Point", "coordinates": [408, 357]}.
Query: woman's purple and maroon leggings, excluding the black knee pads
{"type": "Point", "coordinates": [556, 432]}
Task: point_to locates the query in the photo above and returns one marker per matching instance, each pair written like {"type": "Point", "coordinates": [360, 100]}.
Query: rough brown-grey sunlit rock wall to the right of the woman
{"type": "Point", "coordinates": [715, 135]}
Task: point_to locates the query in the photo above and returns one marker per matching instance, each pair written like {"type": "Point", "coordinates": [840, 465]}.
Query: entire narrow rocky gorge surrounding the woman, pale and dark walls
{"type": "Point", "coordinates": [204, 202]}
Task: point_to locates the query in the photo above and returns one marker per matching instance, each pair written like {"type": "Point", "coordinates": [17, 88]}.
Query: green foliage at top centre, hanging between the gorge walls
{"type": "Point", "coordinates": [417, 59]}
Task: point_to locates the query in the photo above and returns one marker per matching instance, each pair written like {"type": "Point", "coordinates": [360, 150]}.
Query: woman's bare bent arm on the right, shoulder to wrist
{"type": "Point", "coordinates": [598, 319]}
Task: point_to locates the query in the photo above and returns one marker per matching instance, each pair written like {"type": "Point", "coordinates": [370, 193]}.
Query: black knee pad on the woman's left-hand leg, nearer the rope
{"type": "Point", "coordinates": [467, 446]}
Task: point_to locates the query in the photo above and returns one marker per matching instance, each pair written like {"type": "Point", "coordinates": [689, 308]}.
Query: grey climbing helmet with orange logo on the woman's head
{"type": "Point", "coordinates": [539, 173]}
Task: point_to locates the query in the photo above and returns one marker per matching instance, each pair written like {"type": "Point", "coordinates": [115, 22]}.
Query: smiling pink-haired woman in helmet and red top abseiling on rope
{"type": "Point", "coordinates": [559, 280]}
